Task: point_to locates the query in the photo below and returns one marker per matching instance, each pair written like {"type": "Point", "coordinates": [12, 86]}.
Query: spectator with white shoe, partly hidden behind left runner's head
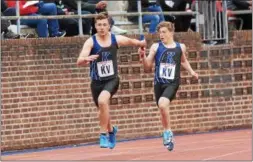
{"type": "Point", "coordinates": [93, 6]}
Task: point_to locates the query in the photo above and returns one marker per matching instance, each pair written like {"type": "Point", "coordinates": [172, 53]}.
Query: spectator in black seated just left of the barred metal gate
{"type": "Point", "coordinates": [182, 23]}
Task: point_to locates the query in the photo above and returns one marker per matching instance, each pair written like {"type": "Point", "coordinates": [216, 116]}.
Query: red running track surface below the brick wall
{"type": "Point", "coordinates": [230, 145]}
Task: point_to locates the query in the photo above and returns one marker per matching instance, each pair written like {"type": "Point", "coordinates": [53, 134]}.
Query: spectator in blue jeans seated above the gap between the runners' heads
{"type": "Point", "coordinates": [154, 20]}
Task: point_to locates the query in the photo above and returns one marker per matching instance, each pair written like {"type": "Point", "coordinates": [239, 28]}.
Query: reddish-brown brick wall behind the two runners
{"type": "Point", "coordinates": [46, 100]}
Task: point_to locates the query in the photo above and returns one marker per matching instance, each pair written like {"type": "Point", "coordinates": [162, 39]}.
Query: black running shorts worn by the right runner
{"type": "Point", "coordinates": [167, 90]}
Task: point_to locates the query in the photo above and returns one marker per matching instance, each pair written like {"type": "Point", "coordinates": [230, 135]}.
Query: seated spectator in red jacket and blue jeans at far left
{"type": "Point", "coordinates": [45, 27]}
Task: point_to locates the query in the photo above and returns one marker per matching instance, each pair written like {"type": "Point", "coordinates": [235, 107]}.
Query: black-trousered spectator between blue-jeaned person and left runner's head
{"type": "Point", "coordinates": [71, 25]}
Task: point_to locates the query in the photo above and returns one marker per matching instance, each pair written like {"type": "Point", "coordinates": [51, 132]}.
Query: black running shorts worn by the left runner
{"type": "Point", "coordinates": [97, 87]}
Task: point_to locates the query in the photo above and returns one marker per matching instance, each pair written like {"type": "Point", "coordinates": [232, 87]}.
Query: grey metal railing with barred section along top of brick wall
{"type": "Point", "coordinates": [209, 28]}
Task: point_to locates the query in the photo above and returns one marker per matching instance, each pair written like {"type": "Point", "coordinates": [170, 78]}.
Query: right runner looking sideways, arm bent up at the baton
{"type": "Point", "coordinates": [168, 56]}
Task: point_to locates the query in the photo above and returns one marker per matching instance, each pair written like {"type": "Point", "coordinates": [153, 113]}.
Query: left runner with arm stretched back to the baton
{"type": "Point", "coordinates": [100, 51]}
